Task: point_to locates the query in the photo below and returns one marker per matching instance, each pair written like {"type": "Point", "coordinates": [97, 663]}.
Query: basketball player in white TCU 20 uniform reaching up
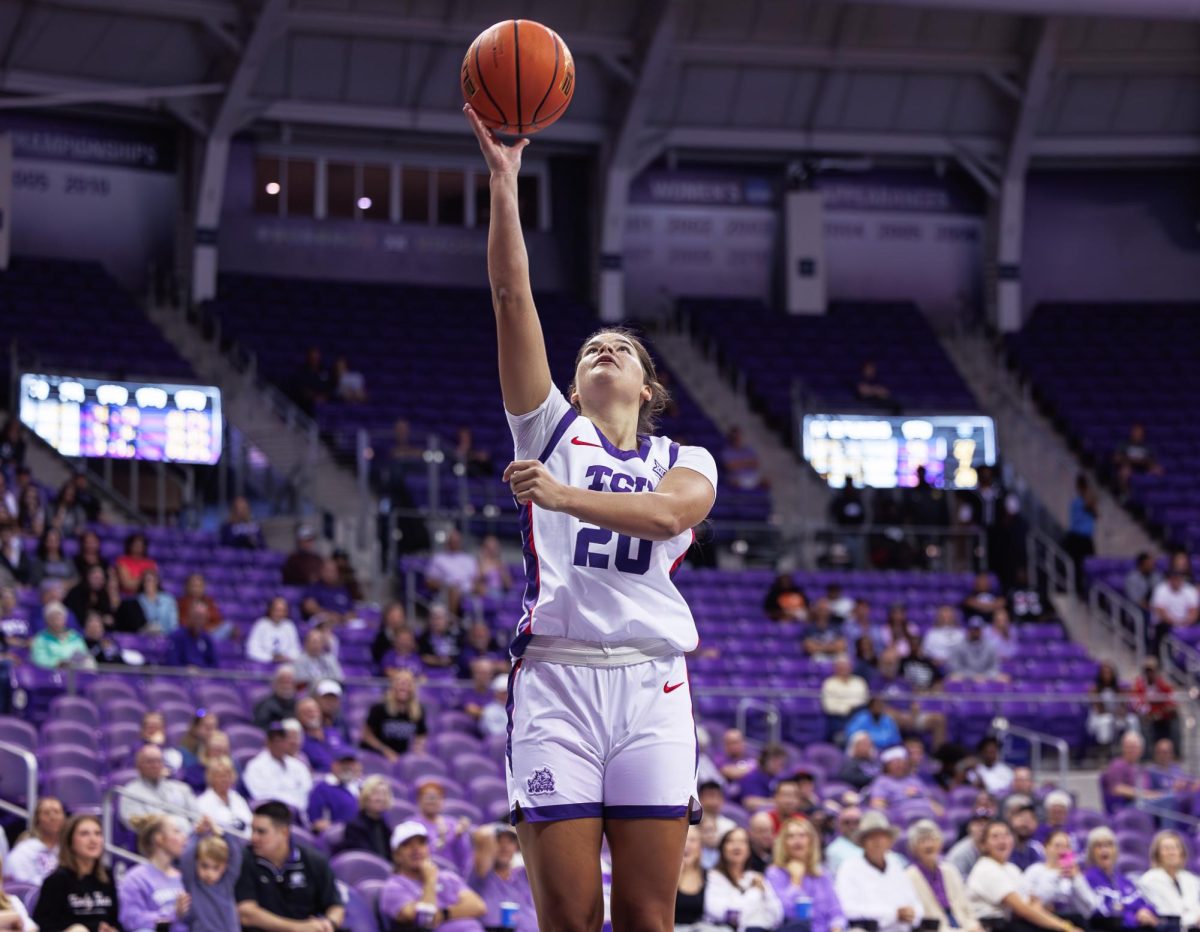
{"type": "Point", "coordinates": [602, 733]}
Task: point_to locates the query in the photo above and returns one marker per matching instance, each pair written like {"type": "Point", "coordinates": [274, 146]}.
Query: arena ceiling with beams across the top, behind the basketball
{"type": "Point", "coordinates": [970, 80]}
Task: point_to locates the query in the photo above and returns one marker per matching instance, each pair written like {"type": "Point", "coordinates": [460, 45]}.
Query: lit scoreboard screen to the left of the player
{"type": "Point", "coordinates": [124, 420]}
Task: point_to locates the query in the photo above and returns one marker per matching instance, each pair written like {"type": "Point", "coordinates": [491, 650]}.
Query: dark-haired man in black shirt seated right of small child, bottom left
{"type": "Point", "coordinates": [265, 901]}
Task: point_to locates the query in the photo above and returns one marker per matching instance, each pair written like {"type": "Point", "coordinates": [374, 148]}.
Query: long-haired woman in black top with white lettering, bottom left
{"type": "Point", "coordinates": [80, 894]}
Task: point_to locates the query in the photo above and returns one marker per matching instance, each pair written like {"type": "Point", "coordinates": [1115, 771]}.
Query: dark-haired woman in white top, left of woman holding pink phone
{"type": "Point", "coordinates": [994, 889]}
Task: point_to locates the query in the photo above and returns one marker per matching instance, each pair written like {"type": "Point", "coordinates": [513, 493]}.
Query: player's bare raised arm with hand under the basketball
{"type": "Point", "coordinates": [525, 372]}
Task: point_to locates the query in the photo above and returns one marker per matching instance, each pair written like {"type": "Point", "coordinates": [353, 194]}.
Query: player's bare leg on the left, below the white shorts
{"type": "Point", "coordinates": [563, 863]}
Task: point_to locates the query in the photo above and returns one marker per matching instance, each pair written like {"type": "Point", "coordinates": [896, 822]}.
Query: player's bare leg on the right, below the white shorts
{"type": "Point", "coordinates": [646, 858]}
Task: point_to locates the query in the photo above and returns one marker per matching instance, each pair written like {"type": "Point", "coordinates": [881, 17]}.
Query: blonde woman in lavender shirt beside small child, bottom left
{"type": "Point", "coordinates": [152, 895]}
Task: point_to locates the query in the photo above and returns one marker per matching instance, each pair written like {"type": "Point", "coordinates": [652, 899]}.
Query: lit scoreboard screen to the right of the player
{"type": "Point", "coordinates": [885, 452]}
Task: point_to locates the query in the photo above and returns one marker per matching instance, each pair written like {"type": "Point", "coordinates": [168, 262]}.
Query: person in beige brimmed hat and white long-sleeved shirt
{"type": "Point", "coordinates": [877, 887]}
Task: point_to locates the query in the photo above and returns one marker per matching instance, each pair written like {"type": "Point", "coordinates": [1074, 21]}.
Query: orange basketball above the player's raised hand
{"type": "Point", "coordinates": [519, 76]}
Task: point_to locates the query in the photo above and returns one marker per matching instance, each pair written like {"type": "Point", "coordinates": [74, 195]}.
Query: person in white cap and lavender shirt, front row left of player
{"type": "Point", "coordinates": [422, 895]}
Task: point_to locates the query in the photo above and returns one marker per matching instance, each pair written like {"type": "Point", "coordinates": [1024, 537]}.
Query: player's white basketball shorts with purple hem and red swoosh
{"type": "Point", "coordinates": [615, 743]}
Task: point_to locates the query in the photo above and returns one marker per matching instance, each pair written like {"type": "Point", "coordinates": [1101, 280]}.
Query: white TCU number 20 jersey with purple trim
{"type": "Point", "coordinates": [591, 584]}
